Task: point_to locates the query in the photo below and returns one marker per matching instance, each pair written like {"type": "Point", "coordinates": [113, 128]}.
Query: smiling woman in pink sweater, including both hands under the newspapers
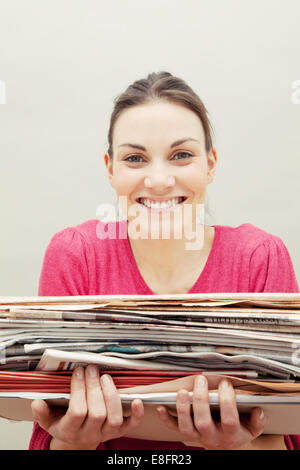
{"type": "Point", "coordinates": [160, 161]}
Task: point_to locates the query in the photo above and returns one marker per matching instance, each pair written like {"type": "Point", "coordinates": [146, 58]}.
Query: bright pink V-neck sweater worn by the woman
{"type": "Point", "coordinates": [78, 262]}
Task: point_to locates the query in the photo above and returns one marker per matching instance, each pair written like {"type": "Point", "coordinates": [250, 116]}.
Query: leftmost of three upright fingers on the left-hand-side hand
{"type": "Point", "coordinates": [77, 410]}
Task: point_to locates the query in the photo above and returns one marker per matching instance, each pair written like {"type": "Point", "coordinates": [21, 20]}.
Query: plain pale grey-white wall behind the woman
{"type": "Point", "coordinates": [63, 63]}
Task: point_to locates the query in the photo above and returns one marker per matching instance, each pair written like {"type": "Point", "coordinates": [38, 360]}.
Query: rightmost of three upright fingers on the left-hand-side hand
{"type": "Point", "coordinates": [114, 411]}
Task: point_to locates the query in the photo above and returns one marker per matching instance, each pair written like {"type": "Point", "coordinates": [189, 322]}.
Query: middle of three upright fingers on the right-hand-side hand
{"type": "Point", "coordinates": [202, 415]}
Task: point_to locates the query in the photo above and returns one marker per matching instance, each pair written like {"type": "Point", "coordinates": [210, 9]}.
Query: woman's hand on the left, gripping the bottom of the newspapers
{"type": "Point", "coordinates": [94, 414]}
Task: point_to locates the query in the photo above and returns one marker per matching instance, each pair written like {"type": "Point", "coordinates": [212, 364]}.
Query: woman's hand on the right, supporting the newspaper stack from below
{"type": "Point", "coordinates": [202, 431]}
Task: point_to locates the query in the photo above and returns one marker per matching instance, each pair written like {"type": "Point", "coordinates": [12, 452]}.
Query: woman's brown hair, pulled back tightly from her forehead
{"type": "Point", "coordinates": [160, 86]}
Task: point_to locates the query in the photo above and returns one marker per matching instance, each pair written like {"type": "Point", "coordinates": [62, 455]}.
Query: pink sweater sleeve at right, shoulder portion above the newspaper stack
{"type": "Point", "coordinates": [271, 268]}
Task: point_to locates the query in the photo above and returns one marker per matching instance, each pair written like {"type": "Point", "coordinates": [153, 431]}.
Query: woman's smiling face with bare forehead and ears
{"type": "Point", "coordinates": [159, 155]}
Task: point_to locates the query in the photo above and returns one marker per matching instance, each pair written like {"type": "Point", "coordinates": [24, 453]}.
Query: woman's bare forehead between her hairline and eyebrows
{"type": "Point", "coordinates": [160, 120]}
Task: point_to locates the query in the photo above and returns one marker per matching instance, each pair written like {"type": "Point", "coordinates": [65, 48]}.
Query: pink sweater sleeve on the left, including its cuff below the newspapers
{"type": "Point", "coordinates": [64, 272]}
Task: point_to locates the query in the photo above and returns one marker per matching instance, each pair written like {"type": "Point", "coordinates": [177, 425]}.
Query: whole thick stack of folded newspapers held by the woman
{"type": "Point", "coordinates": [152, 346]}
